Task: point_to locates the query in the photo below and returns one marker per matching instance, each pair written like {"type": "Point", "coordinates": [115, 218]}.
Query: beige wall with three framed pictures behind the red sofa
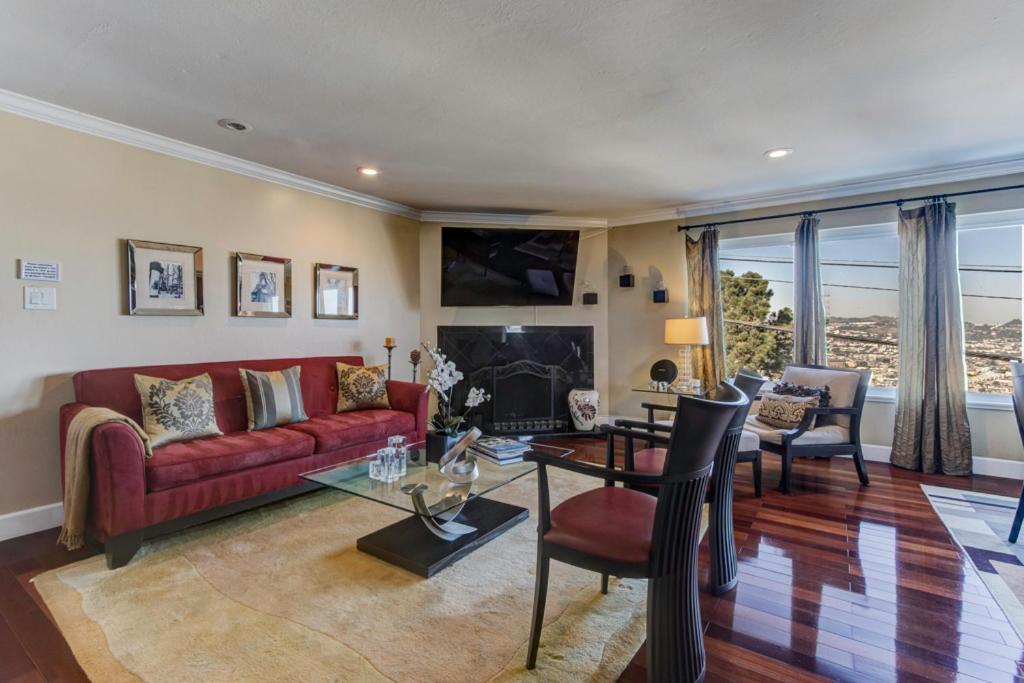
{"type": "Point", "coordinates": [72, 198]}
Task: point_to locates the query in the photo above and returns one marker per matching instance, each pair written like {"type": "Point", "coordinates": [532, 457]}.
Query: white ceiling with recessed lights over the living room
{"type": "Point", "coordinates": [598, 108]}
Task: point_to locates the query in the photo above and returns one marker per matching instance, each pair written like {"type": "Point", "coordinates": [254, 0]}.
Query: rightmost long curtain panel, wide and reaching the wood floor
{"type": "Point", "coordinates": [932, 431]}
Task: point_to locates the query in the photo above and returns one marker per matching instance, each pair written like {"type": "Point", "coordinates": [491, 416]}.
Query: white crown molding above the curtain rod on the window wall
{"type": "Point", "coordinates": [934, 177]}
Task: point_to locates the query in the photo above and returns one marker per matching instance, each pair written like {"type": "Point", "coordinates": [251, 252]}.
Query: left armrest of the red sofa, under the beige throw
{"type": "Point", "coordinates": [117, 482]}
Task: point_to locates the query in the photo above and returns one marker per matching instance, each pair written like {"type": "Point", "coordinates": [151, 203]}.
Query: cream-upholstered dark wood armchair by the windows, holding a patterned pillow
{"type": "Point", "coordinates": [824, 432]}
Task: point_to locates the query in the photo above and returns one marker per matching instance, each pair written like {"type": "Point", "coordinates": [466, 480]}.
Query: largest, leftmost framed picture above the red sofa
{"type": "Point", "coordinates": [164, 280]}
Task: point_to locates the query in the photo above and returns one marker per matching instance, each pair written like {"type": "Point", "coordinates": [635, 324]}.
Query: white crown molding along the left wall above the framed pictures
{"type": "Point", "coordinates": [87, 123]}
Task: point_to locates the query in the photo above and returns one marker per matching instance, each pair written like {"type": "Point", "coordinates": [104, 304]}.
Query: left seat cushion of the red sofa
{"type": "Point", "coordinates": [185, 462]}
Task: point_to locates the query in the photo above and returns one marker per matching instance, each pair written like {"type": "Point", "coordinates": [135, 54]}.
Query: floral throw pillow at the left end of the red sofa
{"type": "Point", "coordinates": [177, 411]}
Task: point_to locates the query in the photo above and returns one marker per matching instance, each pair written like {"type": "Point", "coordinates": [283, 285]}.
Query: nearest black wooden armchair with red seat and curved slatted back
{"type": "Point", "coordinates": [623, 532]}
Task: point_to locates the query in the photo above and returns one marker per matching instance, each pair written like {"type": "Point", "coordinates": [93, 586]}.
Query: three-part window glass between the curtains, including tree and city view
{"type": "Point", "coordinates": [861, 286]}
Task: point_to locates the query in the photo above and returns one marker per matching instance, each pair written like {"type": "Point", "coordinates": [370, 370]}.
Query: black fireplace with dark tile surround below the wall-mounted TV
{"type": "Point", "coordinates": [528, 370]}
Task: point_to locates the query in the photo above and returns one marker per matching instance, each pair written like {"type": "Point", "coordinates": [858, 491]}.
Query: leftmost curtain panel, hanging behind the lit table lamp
{"type": "Point", "coordinates": [706, 300]}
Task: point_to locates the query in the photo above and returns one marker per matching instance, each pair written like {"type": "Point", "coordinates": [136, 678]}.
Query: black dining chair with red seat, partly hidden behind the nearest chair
{"type": "Point", "coordinates": [722, 542]}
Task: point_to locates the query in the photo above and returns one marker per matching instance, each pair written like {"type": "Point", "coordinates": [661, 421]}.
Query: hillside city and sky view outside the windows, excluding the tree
{"type": "Point", "coordinates": [861, 276]}
